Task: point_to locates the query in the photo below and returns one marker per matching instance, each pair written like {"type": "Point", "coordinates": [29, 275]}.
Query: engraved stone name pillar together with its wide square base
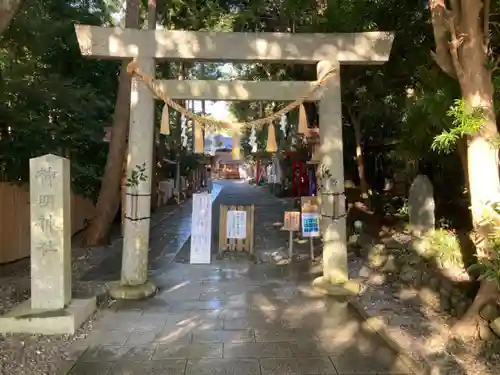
{"type": "Point", "coordinates": [51, 310]}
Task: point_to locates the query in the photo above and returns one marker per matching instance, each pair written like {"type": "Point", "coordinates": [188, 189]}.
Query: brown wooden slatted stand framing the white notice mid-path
{"type": "Point", "coordinates": [233, 244]}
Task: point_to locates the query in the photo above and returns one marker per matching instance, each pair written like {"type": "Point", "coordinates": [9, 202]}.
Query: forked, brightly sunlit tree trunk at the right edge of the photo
{"type": "Point", "coordinates": [461, 52]}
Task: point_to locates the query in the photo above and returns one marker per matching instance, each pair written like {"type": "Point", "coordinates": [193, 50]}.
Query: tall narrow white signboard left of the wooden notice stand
{"type": "Point", "coordinates": [201, 229]}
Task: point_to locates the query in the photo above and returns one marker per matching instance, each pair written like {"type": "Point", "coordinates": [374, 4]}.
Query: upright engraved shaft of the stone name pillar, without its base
{"type": "Point", "coordinates": [50, 199]}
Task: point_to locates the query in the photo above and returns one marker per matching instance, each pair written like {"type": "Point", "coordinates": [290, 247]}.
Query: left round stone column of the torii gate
{"type": "Point", "coordinates": [134, 282]}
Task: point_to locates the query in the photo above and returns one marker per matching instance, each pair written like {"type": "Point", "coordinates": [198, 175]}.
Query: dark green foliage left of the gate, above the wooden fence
{"type": "Point", "coordinates": [53, 100]}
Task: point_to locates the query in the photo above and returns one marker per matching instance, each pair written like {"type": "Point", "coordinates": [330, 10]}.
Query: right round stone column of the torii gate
{"type": "Point", "coordinates": [331, 192]}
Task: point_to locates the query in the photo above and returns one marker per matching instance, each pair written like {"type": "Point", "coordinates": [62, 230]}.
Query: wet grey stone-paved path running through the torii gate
{"type": "Point", "coordinates": [232, 317]}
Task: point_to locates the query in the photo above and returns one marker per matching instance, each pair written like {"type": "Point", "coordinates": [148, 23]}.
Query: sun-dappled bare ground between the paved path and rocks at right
{"type": "Point", "coordinates": [422, 328]}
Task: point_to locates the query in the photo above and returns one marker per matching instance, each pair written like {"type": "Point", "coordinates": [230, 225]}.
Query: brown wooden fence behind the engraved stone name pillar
{"type": "Point", "coordinates": [15, 220]}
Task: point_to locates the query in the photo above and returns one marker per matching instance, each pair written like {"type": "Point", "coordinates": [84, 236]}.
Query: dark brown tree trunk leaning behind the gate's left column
{"type": "Point", "coordinates": [109, 195]}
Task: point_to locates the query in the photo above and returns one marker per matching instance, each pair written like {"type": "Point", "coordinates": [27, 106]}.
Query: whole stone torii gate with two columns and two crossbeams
{"type": "Point", "coordinates": [326, 50]}
